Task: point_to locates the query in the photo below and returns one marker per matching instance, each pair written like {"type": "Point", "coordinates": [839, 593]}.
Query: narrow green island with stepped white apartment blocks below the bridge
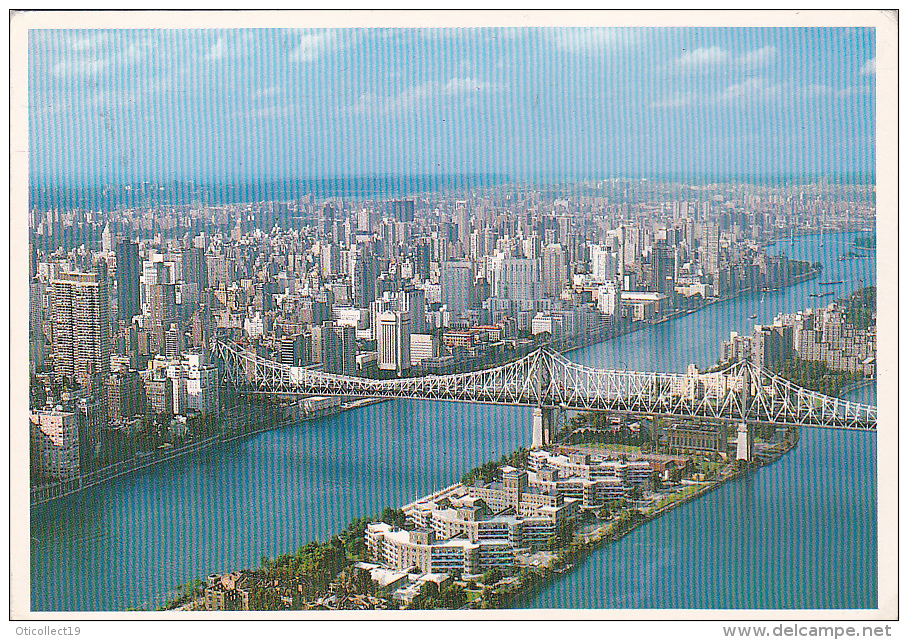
{"type": "Point", "coordinates": [506, 527]}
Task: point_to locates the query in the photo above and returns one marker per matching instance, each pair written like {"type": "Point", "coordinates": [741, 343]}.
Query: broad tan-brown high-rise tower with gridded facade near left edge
{"type": "Point", "coordinates": [80, 333]}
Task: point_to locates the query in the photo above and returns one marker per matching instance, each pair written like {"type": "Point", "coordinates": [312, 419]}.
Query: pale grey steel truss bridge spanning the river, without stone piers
{"type": "Point", "coordinates": [742, 392]}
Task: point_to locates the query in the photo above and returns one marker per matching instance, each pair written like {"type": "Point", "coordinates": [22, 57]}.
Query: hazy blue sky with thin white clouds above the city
{"type": "Point", "coordinates": [108, 106]}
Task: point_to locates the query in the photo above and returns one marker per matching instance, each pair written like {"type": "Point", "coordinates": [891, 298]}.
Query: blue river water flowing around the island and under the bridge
{"type": "Point", "coordinates": [800, 533]}
